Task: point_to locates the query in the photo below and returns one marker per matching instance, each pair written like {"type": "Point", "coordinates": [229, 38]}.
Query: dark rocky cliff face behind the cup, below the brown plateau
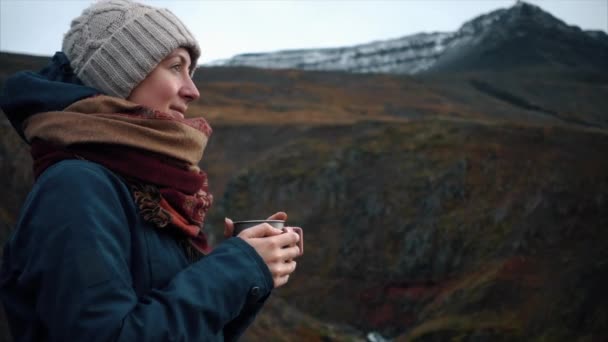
{"type": "Point", "coordinates": [434, 229]}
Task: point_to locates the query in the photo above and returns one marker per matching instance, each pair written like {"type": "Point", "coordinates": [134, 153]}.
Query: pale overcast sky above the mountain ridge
{"type": "Point", "coordinates": [230, 27]}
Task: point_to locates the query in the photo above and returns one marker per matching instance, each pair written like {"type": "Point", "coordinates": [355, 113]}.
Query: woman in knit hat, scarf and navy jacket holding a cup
{"type": "Point", "coordinates": [109, 244]}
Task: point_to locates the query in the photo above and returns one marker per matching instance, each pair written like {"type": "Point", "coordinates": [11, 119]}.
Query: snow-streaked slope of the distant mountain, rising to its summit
{"type": "Point", "coordinates": [419, 52]}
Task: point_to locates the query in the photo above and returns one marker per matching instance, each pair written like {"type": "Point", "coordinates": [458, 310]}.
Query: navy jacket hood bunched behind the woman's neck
{"type": "Point", "coordinates": [55, 87]}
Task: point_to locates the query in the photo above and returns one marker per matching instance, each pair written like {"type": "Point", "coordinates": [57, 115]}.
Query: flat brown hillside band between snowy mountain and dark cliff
{"type": "Point", "coordinates": [231, 95]}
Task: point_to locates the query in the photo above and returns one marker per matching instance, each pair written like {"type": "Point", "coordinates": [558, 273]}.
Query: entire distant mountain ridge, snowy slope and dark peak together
{"type": "Point", "coordinates": [521, 35]}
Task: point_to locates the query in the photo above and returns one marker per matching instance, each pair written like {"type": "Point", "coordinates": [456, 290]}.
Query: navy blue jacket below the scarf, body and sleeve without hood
{"type": "Point", "coordinates": [83, 266]}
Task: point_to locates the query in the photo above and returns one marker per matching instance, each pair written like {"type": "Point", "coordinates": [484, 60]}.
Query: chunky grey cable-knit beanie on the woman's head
{"type": "Point", "coordinates": [115, 44]}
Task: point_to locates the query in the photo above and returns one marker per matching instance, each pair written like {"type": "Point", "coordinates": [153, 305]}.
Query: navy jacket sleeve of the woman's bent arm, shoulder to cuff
{"type": "Point", "coordinates": [77, 238]}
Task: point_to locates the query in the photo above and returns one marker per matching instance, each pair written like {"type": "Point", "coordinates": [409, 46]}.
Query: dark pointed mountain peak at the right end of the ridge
{"type": "Point", "coordinates": [522, 35]}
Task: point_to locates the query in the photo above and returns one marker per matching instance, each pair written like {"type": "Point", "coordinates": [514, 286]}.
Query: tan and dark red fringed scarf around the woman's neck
{"type": "Point", "coordinates": [154, 152]}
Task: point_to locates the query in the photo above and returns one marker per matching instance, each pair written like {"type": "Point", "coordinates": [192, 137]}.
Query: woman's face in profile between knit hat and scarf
{"type": "Point", "coordinates": [168, 88]}
